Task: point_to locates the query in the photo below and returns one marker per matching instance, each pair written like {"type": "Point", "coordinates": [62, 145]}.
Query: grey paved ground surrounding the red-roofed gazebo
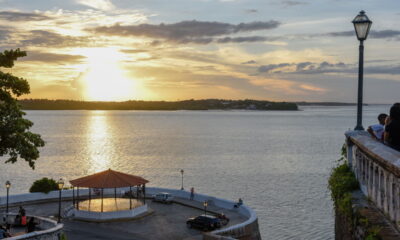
{"type": "Point", "coordinates": [167, 221]}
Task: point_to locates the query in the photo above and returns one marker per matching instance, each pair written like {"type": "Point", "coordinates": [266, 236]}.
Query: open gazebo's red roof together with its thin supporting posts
{"type": "Point", "coordinates": [109, 179]}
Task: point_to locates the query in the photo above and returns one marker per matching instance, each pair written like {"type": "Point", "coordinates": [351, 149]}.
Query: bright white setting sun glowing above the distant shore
{"type": "Point", "coordinates": [104, 79]}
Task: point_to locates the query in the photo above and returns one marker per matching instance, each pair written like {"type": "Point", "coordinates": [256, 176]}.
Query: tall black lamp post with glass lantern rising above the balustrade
{"type": "Point", "coordinates": [362, 24]}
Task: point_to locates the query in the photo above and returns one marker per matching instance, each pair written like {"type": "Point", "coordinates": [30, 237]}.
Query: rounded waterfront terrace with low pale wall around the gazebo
{"type": "Point", "coordinates": [162, 222]}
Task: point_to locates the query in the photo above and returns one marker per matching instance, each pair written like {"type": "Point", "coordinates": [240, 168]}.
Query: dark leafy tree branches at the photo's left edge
{"type": "Point", "coordinates": [15, 139]}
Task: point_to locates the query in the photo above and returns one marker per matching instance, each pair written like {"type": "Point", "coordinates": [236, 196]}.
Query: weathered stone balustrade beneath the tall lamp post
{"type": "Point", "coordinates": [377, 169]}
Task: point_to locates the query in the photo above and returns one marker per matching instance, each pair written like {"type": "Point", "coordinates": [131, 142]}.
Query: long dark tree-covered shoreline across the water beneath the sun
{"type": "Point", "coordinates": [207, 104]}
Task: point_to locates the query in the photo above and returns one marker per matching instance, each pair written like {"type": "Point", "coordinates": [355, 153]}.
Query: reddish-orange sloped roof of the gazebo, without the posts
{"type": "Point", "coordinates": [108, 179]}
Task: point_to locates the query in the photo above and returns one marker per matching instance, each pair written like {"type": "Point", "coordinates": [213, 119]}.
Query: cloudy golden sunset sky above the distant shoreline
{"type": "Point", "coordinates": [293, 50]}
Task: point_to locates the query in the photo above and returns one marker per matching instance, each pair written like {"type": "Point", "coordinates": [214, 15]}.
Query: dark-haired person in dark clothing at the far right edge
{"type": "Point", "coordinates": [392, 127]}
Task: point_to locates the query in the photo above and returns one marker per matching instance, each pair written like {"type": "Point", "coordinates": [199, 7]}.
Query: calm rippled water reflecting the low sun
{"type": "Point", "coordinates": [277, 162]}
